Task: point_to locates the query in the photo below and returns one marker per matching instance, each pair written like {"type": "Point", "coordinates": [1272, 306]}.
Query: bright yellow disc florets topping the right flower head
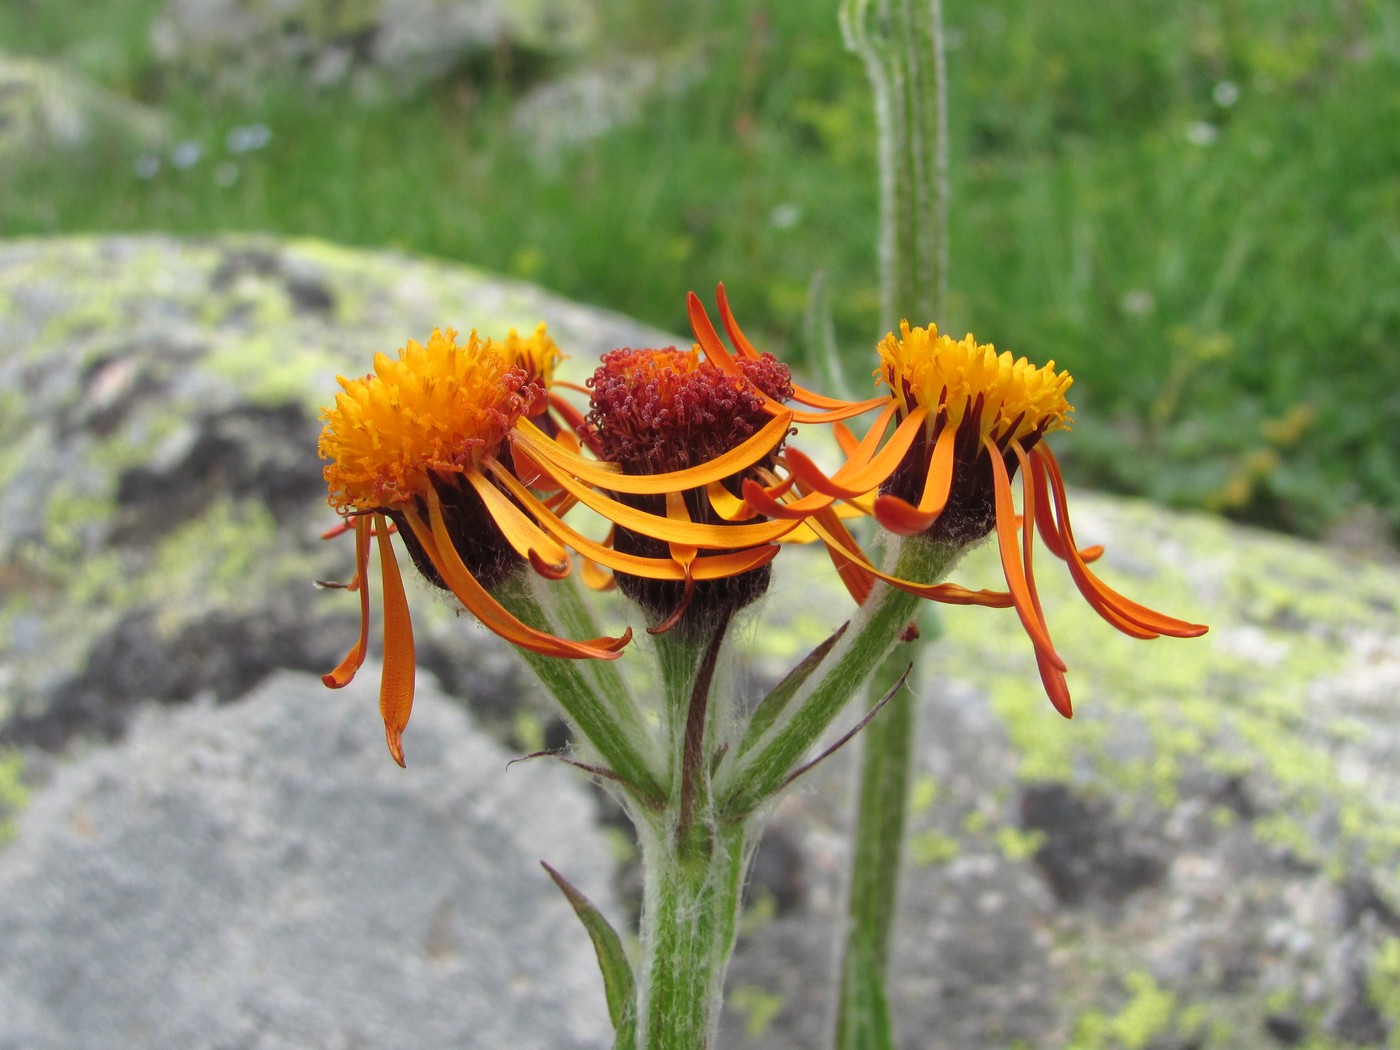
{"type": "Point", "coordinates": [923, 367]}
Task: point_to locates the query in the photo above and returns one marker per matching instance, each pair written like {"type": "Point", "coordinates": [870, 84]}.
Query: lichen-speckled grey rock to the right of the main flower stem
{"type": "Point", "coordinates": [1209, 855]}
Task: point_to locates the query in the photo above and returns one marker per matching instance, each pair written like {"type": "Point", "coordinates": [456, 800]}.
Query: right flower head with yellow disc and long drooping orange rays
{"type": "Point", "coordinates": [937, 465]}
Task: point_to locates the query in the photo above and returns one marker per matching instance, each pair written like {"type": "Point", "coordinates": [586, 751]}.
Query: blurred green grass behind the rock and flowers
{"type": "Point", "coordinates": [1193, 206]}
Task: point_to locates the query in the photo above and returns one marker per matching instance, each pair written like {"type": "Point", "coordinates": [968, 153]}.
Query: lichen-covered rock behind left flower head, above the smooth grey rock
{"type": "Point", "coordinates": [159, 407]}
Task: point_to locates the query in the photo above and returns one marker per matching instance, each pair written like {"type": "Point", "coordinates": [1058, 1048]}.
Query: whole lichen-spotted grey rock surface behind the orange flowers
{"type": "Point", "coordinates": [213, 849]}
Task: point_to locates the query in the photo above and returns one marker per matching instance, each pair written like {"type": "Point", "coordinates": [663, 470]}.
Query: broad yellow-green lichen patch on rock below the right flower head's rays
{"type": "Point", "coordinates": [1240, 702]}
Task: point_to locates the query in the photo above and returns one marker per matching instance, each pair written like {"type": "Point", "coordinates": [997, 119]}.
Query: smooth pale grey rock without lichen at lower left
{"type": "Point", "coordinates": [261, 876]}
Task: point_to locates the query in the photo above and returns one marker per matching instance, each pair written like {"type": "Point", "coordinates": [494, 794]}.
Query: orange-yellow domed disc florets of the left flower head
{"type": "Point", "coordinates": [439, 409]}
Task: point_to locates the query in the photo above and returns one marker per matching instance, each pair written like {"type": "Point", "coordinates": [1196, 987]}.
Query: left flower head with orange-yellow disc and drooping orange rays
{"type": "Point", "coordinates": [428, 442]}
